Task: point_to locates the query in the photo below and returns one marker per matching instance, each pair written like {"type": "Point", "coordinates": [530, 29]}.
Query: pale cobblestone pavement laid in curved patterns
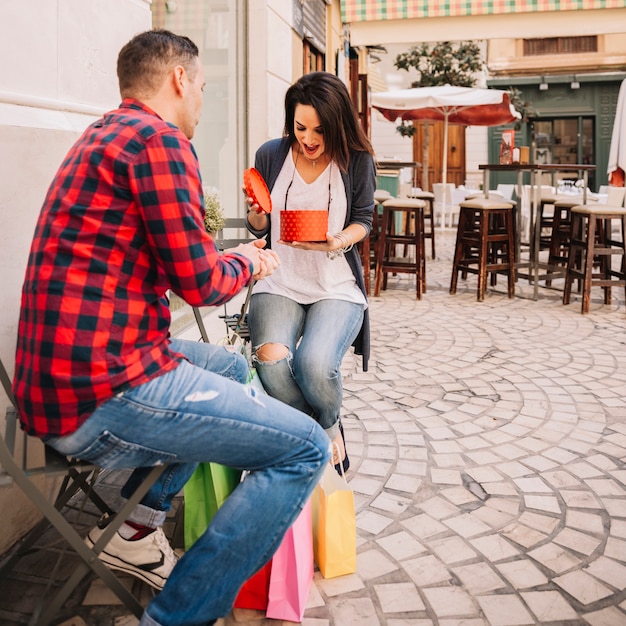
{"type": "Point", "coordinates": [488, 450]}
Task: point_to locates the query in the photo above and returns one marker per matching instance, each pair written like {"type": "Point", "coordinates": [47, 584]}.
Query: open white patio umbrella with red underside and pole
{"type": "Point", "coordinates": [472, 106]}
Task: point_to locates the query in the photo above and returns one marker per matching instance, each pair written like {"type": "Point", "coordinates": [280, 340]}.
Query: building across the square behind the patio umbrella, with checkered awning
{"type": "Point", "coordinates": [567, 58]}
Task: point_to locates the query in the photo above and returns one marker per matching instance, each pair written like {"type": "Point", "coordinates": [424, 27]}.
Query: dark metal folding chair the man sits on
{"type": "Point", "coordinates": [76, 476]}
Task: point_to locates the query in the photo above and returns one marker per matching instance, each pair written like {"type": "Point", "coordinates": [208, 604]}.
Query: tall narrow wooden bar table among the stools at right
{"type": "Point", "coordinates": [534, 170]}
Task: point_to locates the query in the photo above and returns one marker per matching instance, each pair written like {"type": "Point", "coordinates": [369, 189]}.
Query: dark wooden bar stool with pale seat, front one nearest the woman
{"type": "Point", "coordinates": [410, 233]}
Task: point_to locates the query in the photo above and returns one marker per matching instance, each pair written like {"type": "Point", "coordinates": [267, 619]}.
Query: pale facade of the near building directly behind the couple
{"type": "Point", "coordinates": [61, 76]}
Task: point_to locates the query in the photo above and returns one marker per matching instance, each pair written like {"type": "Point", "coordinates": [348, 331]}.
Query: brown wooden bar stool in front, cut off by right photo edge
{"type": "Point", "coordinates": [592, 246]}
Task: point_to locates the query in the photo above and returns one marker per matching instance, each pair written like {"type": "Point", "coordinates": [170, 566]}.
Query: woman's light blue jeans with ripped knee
{"type": "Point", "coordinates": [309, 377]}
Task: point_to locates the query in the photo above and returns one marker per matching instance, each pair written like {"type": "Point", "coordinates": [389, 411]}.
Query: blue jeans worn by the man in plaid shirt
{"type": "Point", "coordinates": [198, 412]}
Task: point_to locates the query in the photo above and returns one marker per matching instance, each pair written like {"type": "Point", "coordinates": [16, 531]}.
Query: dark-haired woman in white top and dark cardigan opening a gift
{"type": "Point", "coordinates": [303, 319]}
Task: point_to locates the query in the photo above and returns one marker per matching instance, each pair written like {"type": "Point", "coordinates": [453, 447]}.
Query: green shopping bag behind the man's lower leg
{"type": "Point", "coordinates": [205, 492]}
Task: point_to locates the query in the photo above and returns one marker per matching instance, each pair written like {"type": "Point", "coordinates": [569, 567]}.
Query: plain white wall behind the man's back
{"type": "Point", "coordinates": [58, 74]}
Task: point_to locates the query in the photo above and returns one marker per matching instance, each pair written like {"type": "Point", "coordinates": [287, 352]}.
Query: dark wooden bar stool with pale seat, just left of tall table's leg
{"type": "Point", "coordinates": [485, 243]}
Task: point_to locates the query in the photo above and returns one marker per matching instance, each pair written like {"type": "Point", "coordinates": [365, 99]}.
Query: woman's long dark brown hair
{"type": "Point", "coordinates": [328, 95]}
